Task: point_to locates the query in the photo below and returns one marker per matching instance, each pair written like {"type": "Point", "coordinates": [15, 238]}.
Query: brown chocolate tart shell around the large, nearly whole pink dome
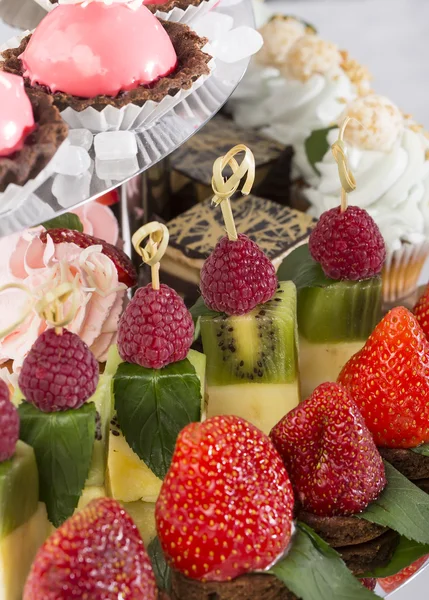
{"type": "Point", "coordinates": [192, 64]}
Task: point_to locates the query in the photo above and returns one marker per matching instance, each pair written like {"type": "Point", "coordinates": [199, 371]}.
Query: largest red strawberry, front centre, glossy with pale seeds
{"type": "Point", "coordinates": [225, 506]}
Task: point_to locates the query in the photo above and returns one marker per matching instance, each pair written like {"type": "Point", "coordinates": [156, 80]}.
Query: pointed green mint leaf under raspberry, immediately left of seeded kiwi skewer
{"type": "Point", "coordinates": [153, 406]}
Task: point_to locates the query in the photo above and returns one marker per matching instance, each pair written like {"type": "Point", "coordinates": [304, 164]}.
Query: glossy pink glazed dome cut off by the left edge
{"type": "Point", "coordinates": [16, 114]}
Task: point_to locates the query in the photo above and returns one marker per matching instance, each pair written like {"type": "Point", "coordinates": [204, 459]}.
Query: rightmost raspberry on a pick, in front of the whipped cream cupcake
{"type": "Point", "coordinates": [348, 244]}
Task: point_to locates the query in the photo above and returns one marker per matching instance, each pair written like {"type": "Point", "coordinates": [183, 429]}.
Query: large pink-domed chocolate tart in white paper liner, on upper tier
{"type": "Point", "coordinates": [158, 64]}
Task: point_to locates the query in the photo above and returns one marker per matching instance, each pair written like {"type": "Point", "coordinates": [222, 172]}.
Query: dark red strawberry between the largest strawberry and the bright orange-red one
{"type": "Point", "coordinates": [331, 458]}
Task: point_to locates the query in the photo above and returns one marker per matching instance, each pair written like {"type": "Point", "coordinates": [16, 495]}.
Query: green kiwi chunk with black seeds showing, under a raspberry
{"type": "Point", "coordinates": [260, 347]}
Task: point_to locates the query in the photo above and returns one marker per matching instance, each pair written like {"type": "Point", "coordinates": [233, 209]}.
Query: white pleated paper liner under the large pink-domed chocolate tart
{"type": "Point", "coordinates": [131, 117]}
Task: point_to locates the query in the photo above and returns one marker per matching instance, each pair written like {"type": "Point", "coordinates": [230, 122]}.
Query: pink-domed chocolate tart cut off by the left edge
{"type": "Point", "coordinates": [37, 132]}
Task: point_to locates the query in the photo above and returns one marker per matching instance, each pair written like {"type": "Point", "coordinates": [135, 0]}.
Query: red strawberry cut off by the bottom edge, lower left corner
{"type": "Point", "coordinates": [98, 553]}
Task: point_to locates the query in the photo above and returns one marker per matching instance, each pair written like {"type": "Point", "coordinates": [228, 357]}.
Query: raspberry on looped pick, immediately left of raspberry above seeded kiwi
{"type": "Point", "coordinates": [156, 328]}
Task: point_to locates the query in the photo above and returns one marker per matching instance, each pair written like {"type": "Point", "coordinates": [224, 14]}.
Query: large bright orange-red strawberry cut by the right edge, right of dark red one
{"type": "Point", "coordinates": [389, 381]}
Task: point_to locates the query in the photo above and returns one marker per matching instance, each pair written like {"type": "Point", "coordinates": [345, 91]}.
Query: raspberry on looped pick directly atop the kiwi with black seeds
{"type": "Point", "coordinates": [237, 276]}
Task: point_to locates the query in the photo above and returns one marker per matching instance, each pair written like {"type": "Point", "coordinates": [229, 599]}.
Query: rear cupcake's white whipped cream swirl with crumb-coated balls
{"type": "Point", "coordinates": [305, 90]}
